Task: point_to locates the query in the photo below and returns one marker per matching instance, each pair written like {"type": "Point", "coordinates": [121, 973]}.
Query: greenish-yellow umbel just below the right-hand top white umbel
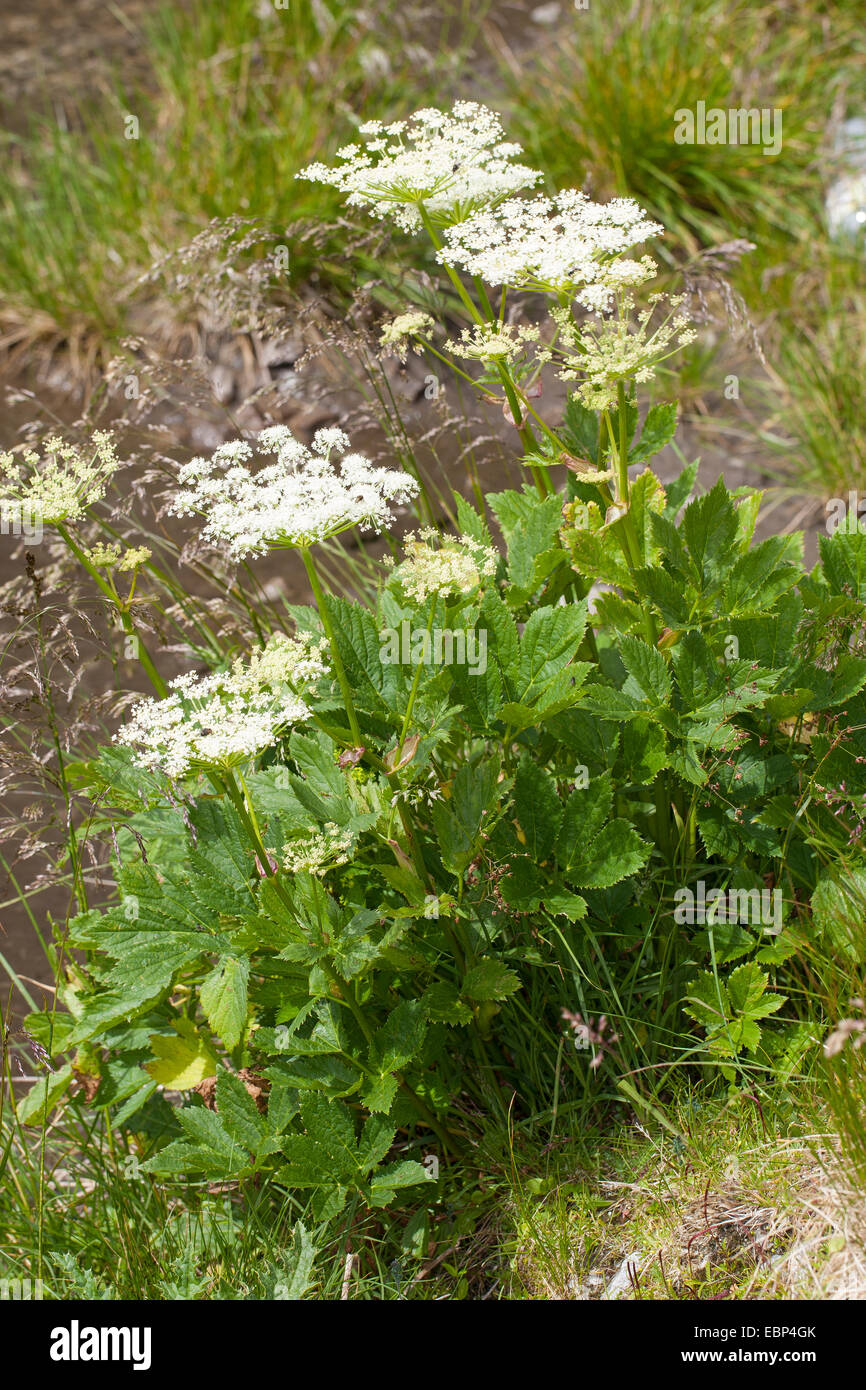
{"type": "Point", "coordinates": [604, 352]}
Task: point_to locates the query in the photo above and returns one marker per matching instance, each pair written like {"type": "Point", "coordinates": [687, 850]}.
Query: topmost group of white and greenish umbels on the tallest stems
{"type": "Point", "coordinates": [451, 174]}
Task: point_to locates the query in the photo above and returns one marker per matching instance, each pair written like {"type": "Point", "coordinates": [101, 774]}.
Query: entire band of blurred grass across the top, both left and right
{"type": "Point", "coordinates": [233, 101]}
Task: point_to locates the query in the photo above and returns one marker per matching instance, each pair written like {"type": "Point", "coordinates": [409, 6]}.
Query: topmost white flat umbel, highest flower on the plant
{"type": "Point", "coordinates": [452, 163]}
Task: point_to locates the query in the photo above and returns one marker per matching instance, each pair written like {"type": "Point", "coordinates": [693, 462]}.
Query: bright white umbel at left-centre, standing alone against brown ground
{"type": "Point", "coordinates": [297, 501]}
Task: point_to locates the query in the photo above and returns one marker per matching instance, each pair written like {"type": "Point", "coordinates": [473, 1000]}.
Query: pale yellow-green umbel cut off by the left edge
{"type": "Point", "coordinates": [63, 483]}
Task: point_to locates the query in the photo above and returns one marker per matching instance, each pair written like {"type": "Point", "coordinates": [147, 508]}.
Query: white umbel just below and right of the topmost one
{"type": "Point", "coordinates": [551, 244]}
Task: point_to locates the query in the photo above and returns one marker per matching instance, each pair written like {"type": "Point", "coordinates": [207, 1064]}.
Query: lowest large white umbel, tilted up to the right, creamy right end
{"type": "Point", "coordinates": [219, 722]}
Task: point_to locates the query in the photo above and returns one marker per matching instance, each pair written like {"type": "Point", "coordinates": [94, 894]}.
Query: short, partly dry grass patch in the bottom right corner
{"type": "Point", "coordinates": [728, 1216]}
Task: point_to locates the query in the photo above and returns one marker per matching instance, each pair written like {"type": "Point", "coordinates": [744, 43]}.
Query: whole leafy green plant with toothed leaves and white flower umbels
{"type": "Point", "coordinates": [382, 894]}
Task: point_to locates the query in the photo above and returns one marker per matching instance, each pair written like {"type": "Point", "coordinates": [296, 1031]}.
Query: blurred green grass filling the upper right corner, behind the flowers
{"type": "Point", "coordinates": [603, 104]}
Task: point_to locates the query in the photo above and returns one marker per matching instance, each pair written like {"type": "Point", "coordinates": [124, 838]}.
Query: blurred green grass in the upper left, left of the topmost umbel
{"type": "Point", "coordinates": [237, 101]}
